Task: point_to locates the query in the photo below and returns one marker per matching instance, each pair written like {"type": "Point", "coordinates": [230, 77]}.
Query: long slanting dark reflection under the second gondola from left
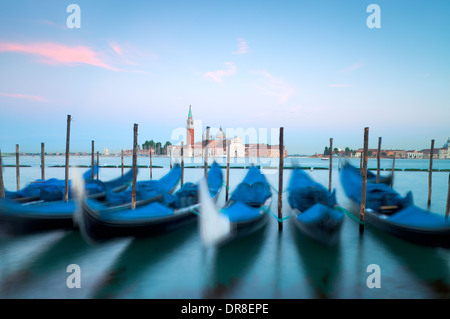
{"type": "Point", "coordinates": [140, 255]}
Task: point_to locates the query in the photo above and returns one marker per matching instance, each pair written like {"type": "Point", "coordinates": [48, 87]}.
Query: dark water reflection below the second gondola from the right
{"type": "Point", "coordinates": [321, 263]}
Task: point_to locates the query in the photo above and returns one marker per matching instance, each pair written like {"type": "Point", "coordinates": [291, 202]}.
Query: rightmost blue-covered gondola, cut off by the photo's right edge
{"type": "Point", "coordinates": [388, 211]}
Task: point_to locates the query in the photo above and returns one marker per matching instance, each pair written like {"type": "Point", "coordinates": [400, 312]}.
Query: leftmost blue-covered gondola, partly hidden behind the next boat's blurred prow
{"type": "Point", "coordinates": [48, 210]}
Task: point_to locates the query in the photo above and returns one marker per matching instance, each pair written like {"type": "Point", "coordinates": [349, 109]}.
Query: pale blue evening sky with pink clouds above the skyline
{"type": "Point", "coordinates": [315, 68]}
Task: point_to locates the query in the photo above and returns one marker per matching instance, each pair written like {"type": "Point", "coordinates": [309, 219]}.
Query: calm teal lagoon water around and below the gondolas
{"type": "Point", "coordinates": [269, 264]}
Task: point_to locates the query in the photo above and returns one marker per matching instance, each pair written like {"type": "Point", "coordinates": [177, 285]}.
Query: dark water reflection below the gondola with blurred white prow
{"type": "Point", "coordinates": [230, 264]}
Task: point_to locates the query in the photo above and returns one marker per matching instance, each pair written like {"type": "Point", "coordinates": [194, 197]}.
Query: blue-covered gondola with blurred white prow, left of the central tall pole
{"type": "Point", "coordinates": [244, 213]}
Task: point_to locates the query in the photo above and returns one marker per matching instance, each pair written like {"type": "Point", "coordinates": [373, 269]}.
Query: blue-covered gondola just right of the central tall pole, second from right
{"type": "Point", "coordinates": [314, 208]}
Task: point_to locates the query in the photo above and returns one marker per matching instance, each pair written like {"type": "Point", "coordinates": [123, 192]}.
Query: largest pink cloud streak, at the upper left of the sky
{"type": "Point", "coordinates": [55, 53]}
